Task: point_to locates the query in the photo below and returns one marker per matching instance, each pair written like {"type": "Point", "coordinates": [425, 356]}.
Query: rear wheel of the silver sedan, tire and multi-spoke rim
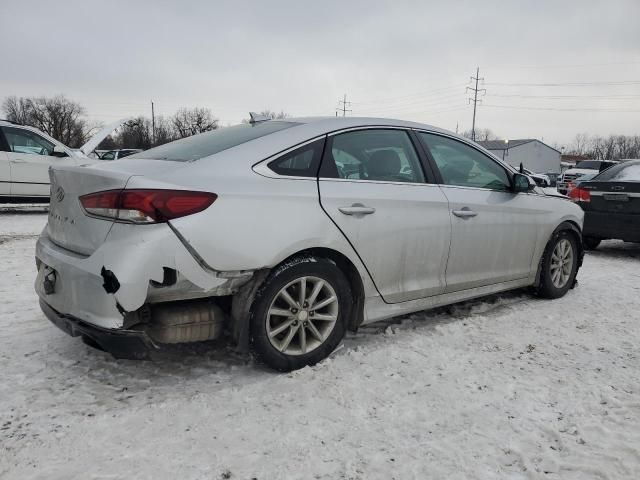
{"type": "Point", "coordinates": [287, 334]}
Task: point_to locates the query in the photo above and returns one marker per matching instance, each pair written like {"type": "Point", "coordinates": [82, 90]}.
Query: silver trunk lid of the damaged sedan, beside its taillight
{"type": "Point", "coordinates": [68, 226]}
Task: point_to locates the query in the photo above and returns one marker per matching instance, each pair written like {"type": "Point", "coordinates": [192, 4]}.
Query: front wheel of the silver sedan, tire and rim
{"type": "Point", "coordinates": [558, 269]}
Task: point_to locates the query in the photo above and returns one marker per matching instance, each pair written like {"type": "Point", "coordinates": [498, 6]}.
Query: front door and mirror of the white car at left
{"type": "Point", "coordinates": [30, 156]}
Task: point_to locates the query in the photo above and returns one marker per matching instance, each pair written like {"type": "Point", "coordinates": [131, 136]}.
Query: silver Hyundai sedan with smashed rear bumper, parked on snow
{"type": "Point", "coordinates": [286, 234]}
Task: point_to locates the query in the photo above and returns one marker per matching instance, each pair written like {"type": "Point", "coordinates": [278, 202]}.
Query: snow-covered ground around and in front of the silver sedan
{"type": "Point", "coordinates": [509, 387]}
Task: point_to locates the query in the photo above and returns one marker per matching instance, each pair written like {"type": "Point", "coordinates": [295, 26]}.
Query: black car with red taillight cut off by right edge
{"type": "Point", "coordinates": [611, 204]}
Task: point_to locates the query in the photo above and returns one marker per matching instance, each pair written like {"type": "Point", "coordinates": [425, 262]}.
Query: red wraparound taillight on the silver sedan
{"type": "Point", "coordinates": [145, 206]}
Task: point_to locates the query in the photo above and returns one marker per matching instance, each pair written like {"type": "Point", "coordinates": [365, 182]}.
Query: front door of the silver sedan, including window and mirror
{"type": "Point", "coordinates": [494, 231]}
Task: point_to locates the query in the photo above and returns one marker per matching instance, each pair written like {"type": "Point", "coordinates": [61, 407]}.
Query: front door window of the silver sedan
{"type": "Point", "coordinates": [464, 166]}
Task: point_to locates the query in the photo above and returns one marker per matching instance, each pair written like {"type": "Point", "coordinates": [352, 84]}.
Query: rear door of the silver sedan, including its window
{"type": "Point", "coordinates": [373, 187]}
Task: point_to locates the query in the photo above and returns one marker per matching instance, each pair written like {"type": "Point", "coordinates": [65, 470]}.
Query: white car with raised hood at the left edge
{"type": "Point", "coordinates": [26, 154]}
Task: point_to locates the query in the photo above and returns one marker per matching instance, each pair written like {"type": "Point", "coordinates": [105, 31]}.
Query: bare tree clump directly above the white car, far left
{"type": "Point", "coordinates": [57, 116]}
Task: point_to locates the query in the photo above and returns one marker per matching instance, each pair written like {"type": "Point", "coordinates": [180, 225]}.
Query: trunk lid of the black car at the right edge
{"type": "Point", "coordinates": [613, 197]}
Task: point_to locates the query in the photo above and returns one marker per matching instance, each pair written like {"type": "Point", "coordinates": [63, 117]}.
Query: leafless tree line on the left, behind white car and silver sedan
{"type": "Point", "coordinates": [66, 121]}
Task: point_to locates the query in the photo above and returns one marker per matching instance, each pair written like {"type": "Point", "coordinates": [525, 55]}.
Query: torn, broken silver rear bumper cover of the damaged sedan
{"type": "Point", "coordinates": [127, 271]}
